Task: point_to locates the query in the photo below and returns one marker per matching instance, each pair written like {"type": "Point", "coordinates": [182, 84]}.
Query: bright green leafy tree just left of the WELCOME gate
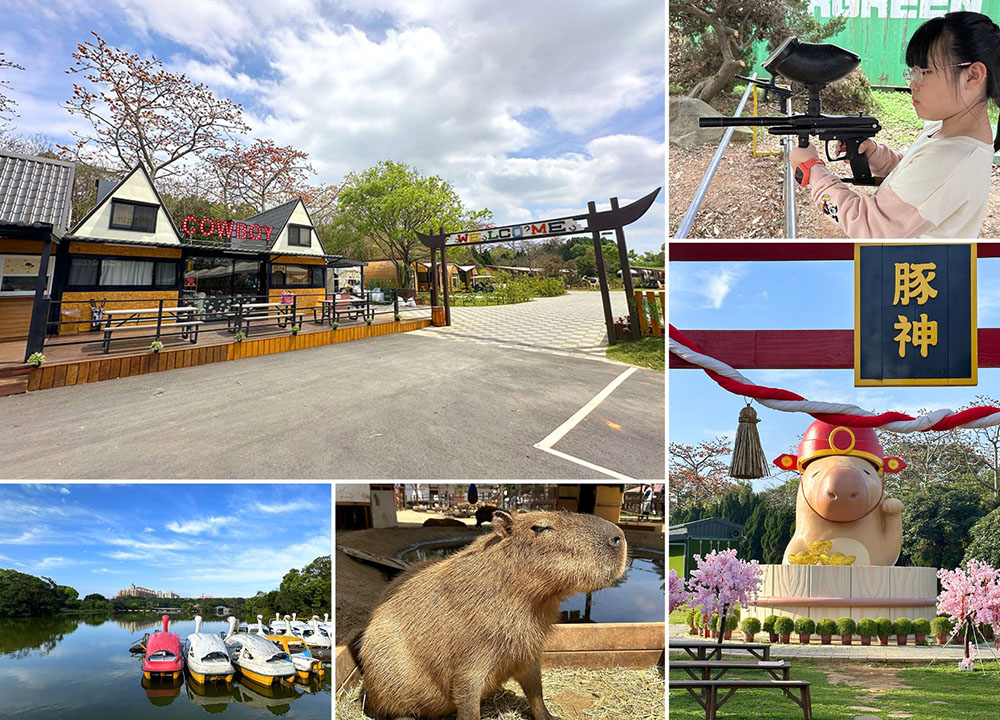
{"type": "Point", "coordinates": [390, 202]}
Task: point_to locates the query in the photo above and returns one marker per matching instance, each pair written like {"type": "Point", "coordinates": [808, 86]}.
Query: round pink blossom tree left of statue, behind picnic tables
{"type": "Point", "coordinates": [722, 583]}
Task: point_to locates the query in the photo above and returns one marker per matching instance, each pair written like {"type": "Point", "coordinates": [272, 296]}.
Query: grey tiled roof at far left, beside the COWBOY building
{"type": "Point", "coordinates": [36, 189]}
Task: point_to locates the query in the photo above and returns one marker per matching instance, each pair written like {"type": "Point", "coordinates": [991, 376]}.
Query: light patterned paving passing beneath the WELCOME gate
{"type": "Point", "coordinates": [570, 325]}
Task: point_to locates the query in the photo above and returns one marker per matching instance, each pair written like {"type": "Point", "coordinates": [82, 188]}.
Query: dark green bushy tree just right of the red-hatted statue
{"type": "Point", "coordinates": [936, 524]}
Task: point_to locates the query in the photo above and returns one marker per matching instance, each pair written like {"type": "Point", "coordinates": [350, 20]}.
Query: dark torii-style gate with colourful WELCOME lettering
{"type": "Point", "coordinates": [596, 222]}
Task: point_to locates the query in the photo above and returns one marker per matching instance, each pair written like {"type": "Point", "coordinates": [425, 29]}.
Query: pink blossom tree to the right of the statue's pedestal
{"type": "Point", "coordinates": [970, 597]}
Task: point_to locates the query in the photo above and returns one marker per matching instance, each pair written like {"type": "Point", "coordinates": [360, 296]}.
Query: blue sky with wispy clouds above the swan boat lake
{"type": "Point", "coordinates": [219, 540]}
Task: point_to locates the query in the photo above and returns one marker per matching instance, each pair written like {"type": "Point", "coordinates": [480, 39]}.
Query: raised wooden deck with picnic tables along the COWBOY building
{"type": "Point", "coordinates": [78, 364]}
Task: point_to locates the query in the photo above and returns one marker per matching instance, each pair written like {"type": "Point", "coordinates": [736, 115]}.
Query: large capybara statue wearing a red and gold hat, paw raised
{"type": "Point", "coordinates": [842, 516]}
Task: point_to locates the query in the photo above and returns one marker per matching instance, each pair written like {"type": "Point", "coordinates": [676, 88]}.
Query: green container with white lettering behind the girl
{"type": "Point", "coordinates": [878, 30]}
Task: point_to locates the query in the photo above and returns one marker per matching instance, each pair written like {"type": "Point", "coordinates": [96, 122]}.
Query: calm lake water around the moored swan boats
{"type": "Point", "coordinates": [80, 667]}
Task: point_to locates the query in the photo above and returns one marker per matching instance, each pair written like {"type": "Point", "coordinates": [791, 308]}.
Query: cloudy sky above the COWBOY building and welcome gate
{"type": "Point", "coordinates": [528, 108]}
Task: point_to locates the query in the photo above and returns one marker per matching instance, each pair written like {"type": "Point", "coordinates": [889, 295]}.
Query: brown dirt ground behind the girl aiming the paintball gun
{"type": "Point", "coordinates": [745, 197]}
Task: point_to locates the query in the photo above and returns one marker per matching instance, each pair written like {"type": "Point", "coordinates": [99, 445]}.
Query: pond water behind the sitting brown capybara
{"type": "Point", "coordinates": [637, 596]}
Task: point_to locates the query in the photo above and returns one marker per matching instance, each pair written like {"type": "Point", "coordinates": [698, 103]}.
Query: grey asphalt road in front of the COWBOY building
{"type": "Point", "coordinates": [398, 407]}
